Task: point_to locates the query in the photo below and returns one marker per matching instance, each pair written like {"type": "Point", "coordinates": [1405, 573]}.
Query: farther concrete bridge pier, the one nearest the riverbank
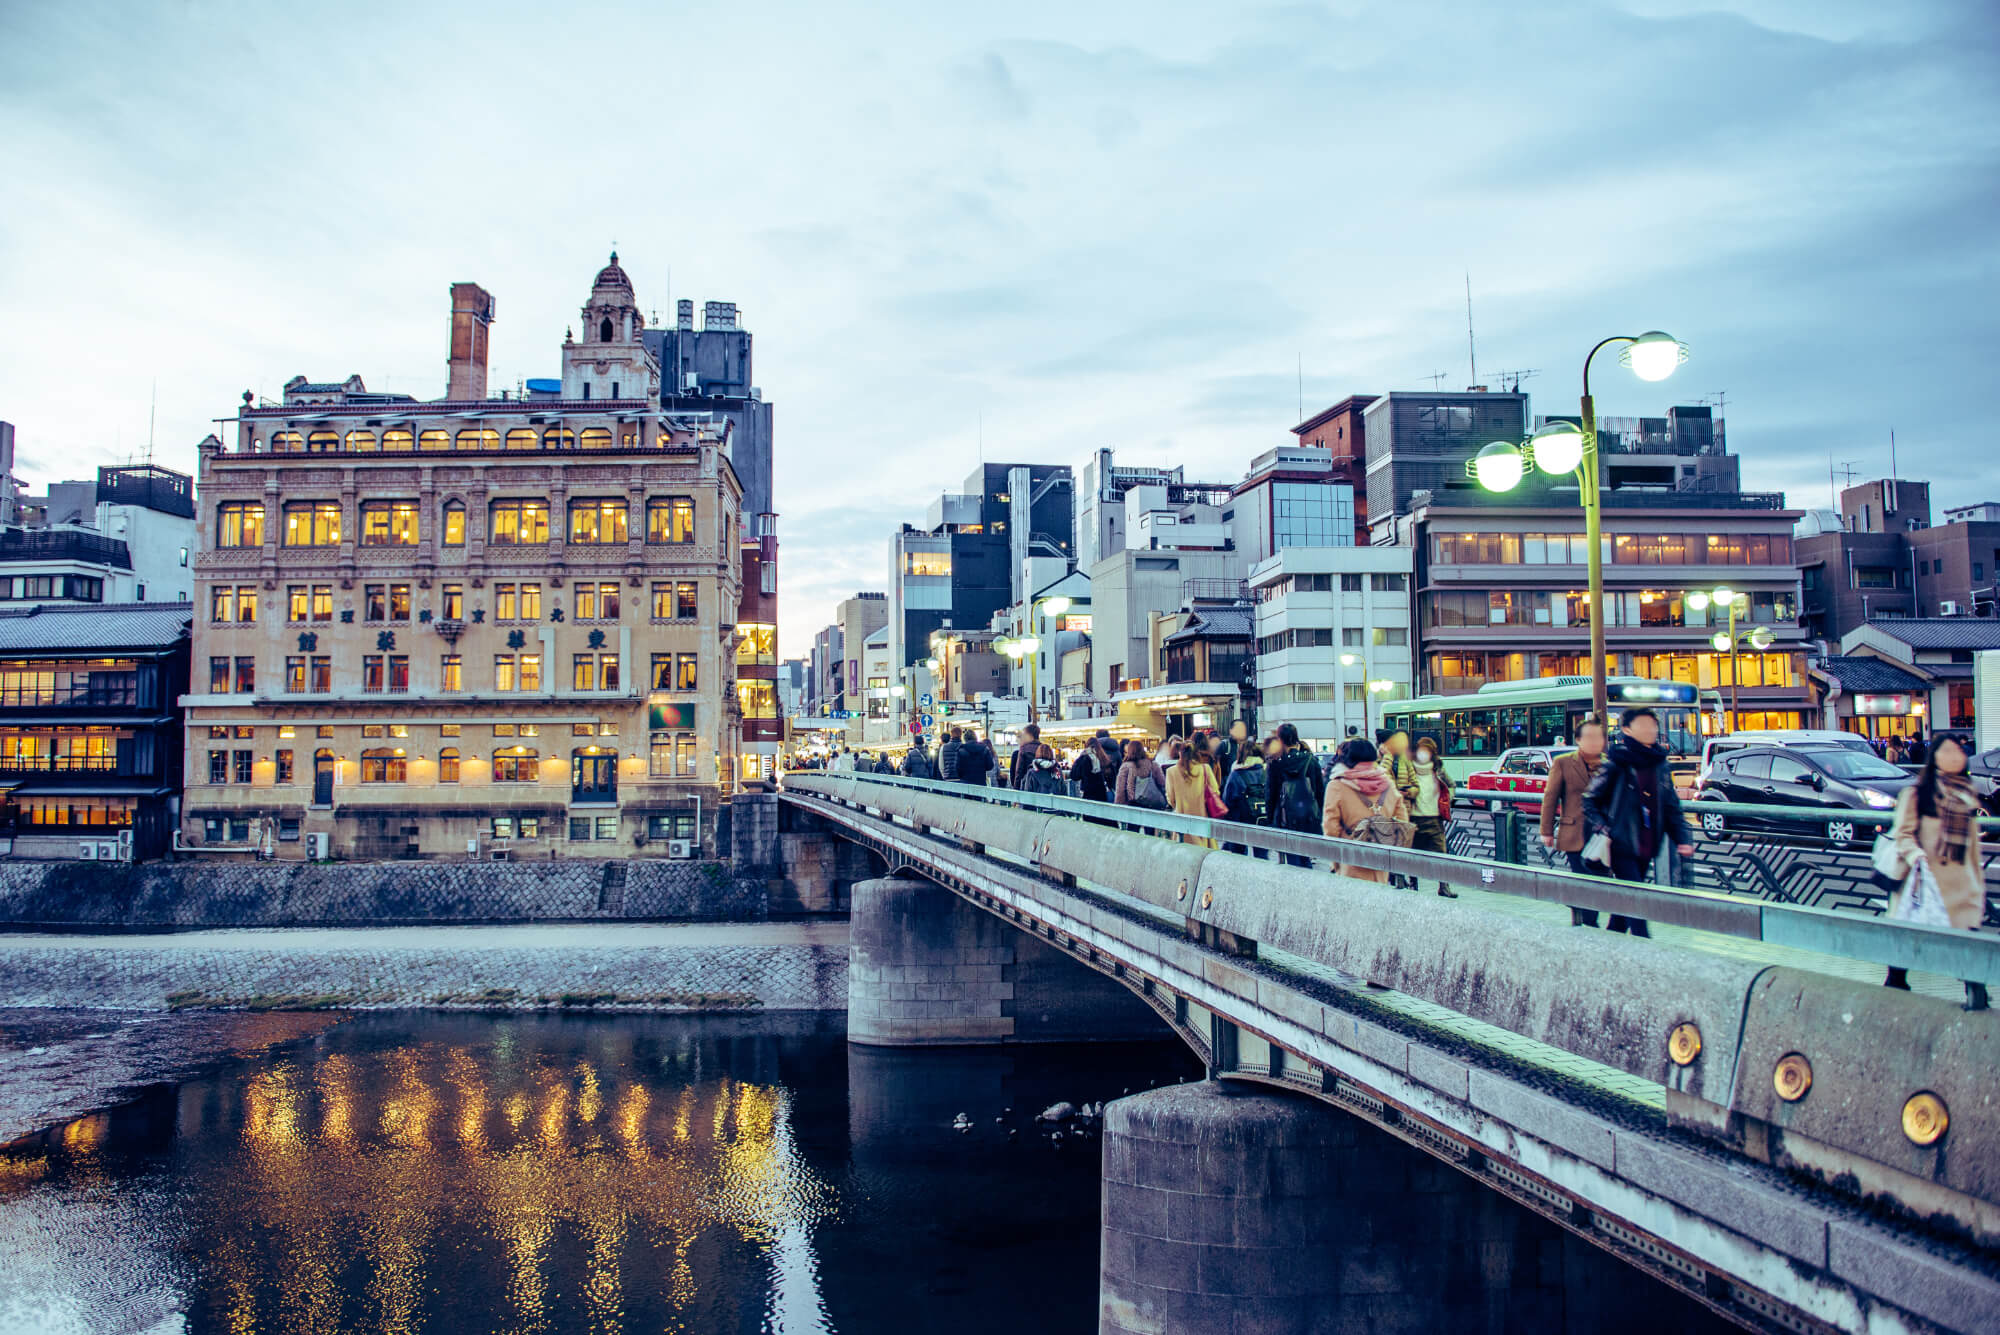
{"type": "Point", "coordinates": [927, 968]}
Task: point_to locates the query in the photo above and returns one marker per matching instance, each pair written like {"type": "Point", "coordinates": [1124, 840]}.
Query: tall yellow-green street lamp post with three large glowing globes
{"type": "Point", "coordinates": [1565, 449]}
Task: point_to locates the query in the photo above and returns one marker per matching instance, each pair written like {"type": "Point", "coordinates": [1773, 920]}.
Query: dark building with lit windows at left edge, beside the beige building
{"type": "Point", "coordinates": [91, 728]}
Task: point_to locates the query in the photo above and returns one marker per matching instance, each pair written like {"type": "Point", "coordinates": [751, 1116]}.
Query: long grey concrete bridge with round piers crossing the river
{"type": "Point", "coordinates": [1735, 1106]}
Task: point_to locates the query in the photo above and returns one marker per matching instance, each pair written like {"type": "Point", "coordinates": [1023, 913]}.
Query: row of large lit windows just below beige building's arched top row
{"type": "Point", "coordinates": [511, 523]}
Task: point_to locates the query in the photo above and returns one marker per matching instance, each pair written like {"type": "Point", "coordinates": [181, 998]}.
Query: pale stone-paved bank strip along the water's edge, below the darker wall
{"type": "Point", "coordinates": [639, 966]}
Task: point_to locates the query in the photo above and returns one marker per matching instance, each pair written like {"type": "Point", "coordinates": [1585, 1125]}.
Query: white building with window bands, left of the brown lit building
{"type": "Point", "coordinates": [1333, 641]}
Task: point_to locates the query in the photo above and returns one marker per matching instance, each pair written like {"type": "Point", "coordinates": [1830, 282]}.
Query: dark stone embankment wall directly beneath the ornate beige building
{"type": "Point", "coordinates": [249, 894]}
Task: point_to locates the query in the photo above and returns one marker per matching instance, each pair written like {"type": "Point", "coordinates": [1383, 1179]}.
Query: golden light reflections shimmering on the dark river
{"type": "Point", "coordinates": [371, 1182]}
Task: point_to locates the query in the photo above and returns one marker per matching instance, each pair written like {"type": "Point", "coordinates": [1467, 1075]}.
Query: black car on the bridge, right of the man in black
{"type": "Point", "coordinates": [1813, 778]}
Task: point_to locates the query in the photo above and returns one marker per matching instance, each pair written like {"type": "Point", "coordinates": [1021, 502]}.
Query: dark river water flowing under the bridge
{"type": "Point", "coordinates": [435, 1172]}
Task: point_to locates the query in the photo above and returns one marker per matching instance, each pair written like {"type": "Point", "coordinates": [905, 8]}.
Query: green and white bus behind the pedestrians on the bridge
{"type": "Point", "coordinates": [1475, 728]}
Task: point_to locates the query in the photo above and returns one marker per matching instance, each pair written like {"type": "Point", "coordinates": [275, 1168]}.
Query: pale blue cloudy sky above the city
{"type": "Point", "coordinates": [1021, 233]}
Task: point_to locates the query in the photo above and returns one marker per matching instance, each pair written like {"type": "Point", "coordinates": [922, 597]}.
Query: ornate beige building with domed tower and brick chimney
{"type": "Point", "coordinates": [469, 627]}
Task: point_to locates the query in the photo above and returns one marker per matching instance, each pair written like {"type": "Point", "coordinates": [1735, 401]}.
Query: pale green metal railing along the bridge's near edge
{"type": "Point", "coordinates": [1973, 958]}
